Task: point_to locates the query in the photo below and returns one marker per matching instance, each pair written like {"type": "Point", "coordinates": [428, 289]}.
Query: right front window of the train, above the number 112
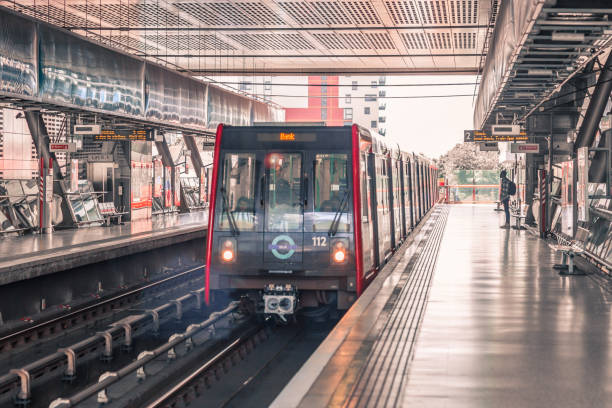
{"type": "Point", "coordinates": [331, 193]}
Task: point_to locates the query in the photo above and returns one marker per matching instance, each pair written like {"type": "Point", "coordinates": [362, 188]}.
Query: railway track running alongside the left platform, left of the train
{"type": "Point", "coordinates": [37, 331]}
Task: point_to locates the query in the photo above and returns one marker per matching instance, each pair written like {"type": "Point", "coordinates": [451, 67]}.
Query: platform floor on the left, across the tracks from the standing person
{"type": "Point", "coordinates": [29, 256]}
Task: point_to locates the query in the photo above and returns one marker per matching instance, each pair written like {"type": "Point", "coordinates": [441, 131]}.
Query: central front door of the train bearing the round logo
{"type": "Point", "coordinates": [283, 227]}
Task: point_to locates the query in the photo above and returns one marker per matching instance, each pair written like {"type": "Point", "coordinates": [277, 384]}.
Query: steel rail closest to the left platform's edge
{"type": "Point", "coordinates": [15, 336]}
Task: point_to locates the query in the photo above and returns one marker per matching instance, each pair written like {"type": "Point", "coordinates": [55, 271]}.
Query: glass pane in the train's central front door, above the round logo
{"type": "Point", "coordinates": [284, 191]}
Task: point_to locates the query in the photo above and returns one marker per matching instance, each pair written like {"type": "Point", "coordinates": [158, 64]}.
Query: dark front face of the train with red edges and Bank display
{"type": "Point", "coordinates": [282, 221]}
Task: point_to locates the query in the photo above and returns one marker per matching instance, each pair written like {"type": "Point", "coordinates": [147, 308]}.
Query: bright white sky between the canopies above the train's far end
{"type": "Point", "coordinates": [429, 126]}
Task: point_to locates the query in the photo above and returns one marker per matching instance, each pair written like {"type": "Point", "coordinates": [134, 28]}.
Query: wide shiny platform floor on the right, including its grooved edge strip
{"type": "Point", "coordinates": [498, 328]}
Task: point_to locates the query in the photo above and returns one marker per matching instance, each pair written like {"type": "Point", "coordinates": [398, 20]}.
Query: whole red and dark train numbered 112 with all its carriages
{"type": "Point", "coordinates": [305, 216]}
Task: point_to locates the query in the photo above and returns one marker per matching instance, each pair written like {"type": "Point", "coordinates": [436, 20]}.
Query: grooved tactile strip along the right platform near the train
{"type": "Point", "coordinates": [388, 349]}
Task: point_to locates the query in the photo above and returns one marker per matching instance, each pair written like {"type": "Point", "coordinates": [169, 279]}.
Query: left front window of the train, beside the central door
{"type": "Point", "coordinates": [237, 193]}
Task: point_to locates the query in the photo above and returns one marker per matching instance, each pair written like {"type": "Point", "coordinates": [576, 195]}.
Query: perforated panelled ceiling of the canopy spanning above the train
{"type": "Point", "coordinates": [284, 37]}
